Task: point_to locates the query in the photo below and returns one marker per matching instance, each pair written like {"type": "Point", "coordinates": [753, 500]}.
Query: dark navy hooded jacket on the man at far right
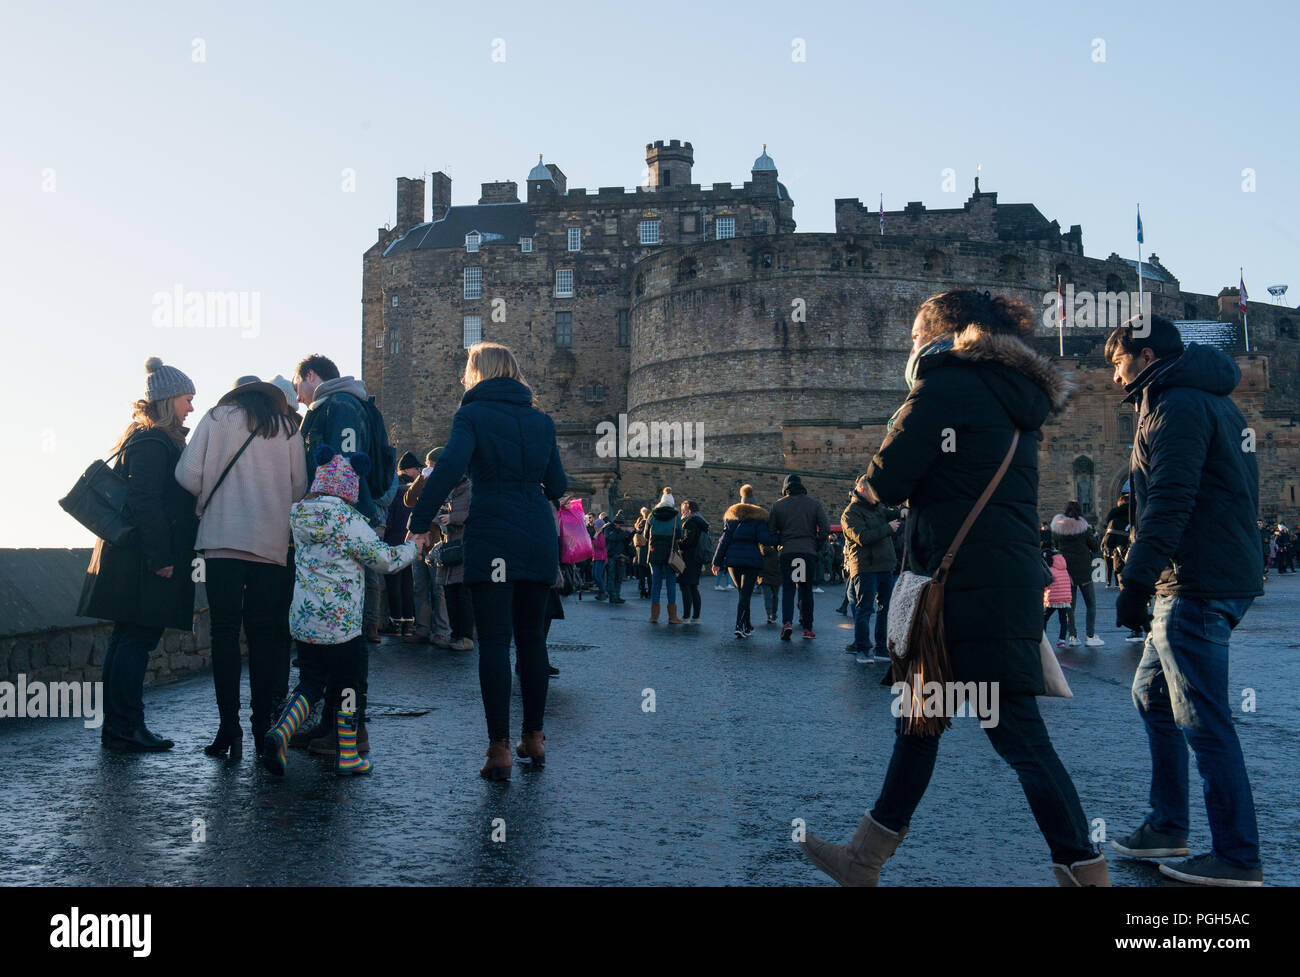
{"type": "Point", "coordinates": [1195, 492]}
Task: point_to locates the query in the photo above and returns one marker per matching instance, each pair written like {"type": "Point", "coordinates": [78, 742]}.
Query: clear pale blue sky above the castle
{"type": "Point", "coordinates": [227, 175]}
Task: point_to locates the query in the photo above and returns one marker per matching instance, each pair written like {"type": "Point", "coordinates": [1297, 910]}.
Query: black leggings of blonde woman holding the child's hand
{"type": "Point", "coordinates": [501, 611]}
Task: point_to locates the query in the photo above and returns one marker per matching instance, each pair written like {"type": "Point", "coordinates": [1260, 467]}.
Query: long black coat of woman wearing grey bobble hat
{"type": "Point", "coordinates": [122, 584]}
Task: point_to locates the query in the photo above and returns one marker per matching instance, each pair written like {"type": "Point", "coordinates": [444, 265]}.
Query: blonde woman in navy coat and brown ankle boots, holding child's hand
{"type": "Point", "coordinates": [512, 549]}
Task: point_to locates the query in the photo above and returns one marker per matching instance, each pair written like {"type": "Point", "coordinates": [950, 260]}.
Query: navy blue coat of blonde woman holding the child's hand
{"type": "Point", "coordinates": [509, 449]}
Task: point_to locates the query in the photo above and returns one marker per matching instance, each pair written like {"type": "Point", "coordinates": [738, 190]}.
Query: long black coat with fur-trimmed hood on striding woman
{"type": "Point", "coordinates": [983, 389]}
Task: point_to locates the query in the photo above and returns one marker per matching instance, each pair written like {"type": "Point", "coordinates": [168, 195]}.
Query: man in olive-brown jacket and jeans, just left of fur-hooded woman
{"type": "Point", "coordinates": [869, 562]}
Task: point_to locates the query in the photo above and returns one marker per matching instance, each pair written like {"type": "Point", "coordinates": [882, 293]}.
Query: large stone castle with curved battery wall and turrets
{"type": "Point", "coordinates": [703, 309]}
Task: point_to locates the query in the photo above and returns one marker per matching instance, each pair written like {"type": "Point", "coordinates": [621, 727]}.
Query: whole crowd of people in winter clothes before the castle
{"type": "Point", "coordinates": [300, 523]}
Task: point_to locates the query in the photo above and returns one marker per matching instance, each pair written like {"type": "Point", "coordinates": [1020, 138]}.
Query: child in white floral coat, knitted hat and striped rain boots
{"type": "Point", "coordinates": [332, 544]}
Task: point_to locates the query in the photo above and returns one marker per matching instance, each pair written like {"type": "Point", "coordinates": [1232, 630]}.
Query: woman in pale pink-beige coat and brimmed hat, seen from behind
{"type": "Point", "coordinates": [246, 466]}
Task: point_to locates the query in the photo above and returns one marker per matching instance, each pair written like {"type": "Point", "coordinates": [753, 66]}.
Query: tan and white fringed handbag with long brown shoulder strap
{"type": "Point", "coordinates": [916, 622]}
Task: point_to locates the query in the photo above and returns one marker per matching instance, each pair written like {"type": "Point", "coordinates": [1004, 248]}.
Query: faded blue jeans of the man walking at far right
{"type": "Point", "coordinates": [1181, 693]}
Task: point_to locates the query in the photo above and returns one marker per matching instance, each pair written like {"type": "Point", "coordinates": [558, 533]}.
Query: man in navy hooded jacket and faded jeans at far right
{"type": "Point", "coordinates": [1195, 549]}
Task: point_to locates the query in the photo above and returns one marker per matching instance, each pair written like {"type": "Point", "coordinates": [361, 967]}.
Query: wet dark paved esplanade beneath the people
{"type": "Point", "coordinates": [746, 737]}
